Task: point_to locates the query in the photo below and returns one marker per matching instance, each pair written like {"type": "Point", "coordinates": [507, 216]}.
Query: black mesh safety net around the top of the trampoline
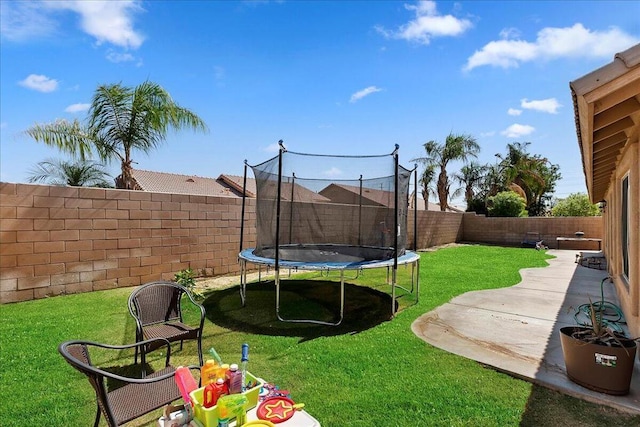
{"type": "Point", "coordinates": [320, 208]}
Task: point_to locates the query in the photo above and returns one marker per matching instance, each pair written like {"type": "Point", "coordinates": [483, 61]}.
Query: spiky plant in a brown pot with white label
{"type": "Point", "coordinates": [598, 357]}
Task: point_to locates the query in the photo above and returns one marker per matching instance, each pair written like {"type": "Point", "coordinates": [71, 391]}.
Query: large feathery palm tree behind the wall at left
{"type": "Point", "coordinates": [120, 119]}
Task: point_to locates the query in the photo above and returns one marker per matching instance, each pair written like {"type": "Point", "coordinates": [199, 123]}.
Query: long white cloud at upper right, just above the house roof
{"type": "Point", "coordinates": [551, 43]}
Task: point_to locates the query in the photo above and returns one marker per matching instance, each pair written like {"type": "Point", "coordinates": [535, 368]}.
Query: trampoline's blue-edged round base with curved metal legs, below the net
{"type": "Point", "coordinates": [409, 258]}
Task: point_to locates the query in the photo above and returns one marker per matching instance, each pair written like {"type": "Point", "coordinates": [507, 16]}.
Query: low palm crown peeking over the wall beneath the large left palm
{"type": "Point", "coordinates": [78, 173]}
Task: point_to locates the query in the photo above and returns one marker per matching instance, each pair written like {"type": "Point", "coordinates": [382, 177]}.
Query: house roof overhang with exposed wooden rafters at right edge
{"type": "Point", "coordinates": [607, 113]}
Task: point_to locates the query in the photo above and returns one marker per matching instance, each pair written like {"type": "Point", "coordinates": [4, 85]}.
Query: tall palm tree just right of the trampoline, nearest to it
{"type": "Point", "coordinates": [455, 147]}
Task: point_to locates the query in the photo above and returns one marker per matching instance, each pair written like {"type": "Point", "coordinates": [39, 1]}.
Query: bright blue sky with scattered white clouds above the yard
{"type": "Point", "coordinates": [330, 77]}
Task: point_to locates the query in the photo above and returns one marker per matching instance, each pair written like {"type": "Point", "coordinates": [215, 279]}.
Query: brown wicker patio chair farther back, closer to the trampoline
{"type": "Point", "coordinates": [157, 309]}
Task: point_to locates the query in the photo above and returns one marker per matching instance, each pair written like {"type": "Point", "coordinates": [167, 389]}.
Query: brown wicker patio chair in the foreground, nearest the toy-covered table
{"type": "Point", "coordinates": [137, 397]}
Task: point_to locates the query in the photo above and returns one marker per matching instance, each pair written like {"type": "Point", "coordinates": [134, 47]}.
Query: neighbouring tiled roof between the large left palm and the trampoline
{"type": "Point", "coordinates": [163, 182]}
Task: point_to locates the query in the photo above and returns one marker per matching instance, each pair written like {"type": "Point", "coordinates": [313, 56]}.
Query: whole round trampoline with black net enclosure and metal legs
{"type": "Point", "coordinates": [344, 222]}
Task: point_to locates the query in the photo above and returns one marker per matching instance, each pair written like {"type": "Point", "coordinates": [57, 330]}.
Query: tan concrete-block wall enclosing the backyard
{"type": "Point", "coordinates": [56, 240]}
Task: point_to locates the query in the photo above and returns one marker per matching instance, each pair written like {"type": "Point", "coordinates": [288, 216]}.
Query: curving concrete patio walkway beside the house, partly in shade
{"type": "Point", "coordinates": [516, 329]}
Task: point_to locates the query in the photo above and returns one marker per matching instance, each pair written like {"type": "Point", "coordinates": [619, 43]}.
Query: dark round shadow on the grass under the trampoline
{"type": "Point", "coordinates": [364, 308]}
